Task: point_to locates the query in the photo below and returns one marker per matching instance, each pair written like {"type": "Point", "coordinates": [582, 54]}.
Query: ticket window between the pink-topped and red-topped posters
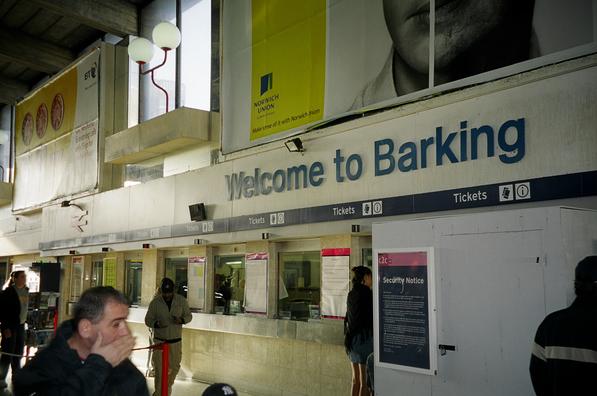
{"type": "Point", "coordinates": [299, 289]}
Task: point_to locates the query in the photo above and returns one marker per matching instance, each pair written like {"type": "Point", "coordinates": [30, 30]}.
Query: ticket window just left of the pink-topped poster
{"type": "Point", "coordinates": [229, 284]}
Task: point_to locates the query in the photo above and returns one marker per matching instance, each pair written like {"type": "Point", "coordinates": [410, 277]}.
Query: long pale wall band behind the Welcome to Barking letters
{"type": "Point", "coordinates": [561, 133]}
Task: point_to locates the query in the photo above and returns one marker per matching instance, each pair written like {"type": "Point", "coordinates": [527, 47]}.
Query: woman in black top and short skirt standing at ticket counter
{"type": "Point", "coordinates": [358, 327]}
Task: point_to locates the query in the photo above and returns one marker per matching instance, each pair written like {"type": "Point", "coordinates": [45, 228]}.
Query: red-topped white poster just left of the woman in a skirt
{"type": "Point", "coordinates": [335, 269]}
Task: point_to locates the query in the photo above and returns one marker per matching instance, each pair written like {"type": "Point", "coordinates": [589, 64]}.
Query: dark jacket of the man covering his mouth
{"type": "Point", "coordinates": [58, 370]}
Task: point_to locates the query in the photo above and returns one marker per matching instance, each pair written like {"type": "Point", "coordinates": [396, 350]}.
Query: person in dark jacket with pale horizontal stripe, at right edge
{"type": "Point", "coordinates": [564, 357]}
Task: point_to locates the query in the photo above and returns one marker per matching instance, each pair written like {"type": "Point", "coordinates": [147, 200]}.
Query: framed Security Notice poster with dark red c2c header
{"type": "Point", "coordinates": [406, 321]}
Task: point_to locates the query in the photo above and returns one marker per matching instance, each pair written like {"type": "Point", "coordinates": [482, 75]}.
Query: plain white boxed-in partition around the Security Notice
{"type": "Point", "coordinates": [497, 276]}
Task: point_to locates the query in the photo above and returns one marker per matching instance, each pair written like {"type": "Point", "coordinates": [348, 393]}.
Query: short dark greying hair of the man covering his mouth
{"type": "Point", "coordinates": [93, 301]}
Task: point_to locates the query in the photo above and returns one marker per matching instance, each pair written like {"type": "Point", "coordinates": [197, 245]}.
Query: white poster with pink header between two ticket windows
{"type": "Point", "coordinates": [256, 283]}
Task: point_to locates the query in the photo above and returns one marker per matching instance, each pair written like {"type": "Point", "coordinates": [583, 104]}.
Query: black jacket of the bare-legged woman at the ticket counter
{"type": "Point", "coordinates": [359, 314]}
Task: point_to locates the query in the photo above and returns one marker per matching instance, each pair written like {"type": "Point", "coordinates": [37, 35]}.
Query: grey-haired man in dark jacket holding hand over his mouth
{"type": "Point", "coordinates": [89, 354]}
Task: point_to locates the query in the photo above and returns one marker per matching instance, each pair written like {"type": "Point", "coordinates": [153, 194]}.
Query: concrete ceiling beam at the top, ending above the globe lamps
{"type": "Point", "coordinates": [118, 17]}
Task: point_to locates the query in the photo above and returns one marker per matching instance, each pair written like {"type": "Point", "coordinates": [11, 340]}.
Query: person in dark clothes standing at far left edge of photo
{"type": "Point", "coordinates": [15, 301]}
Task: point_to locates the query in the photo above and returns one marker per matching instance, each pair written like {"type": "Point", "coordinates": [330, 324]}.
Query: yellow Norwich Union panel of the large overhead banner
{"type": "Point", "coordinates": [288, 64]}
